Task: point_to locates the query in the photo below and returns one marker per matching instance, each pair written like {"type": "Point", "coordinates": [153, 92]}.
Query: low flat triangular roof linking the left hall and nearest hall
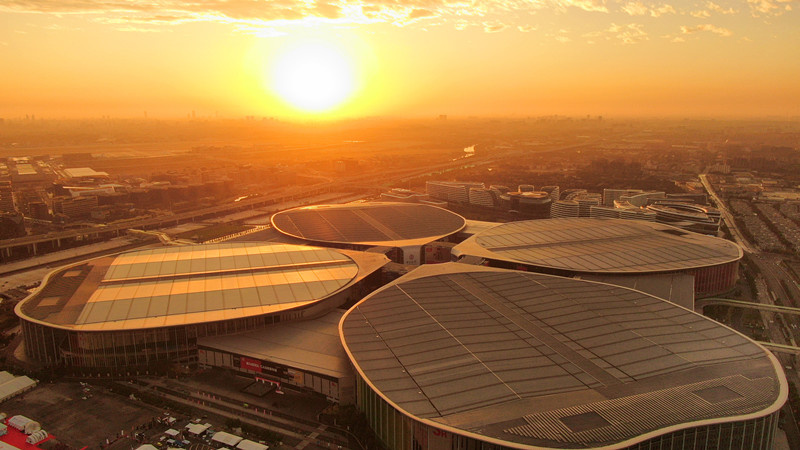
{"type": "Point", "coordinates": [310, 345]}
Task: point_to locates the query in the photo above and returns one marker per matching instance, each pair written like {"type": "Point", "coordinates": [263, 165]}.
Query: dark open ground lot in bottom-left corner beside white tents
{"type": "Point", "coordinates": [62, 411]}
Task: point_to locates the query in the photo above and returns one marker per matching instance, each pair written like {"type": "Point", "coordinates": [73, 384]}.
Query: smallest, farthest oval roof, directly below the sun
{"type": "Point", "coordinates": [391, 224]}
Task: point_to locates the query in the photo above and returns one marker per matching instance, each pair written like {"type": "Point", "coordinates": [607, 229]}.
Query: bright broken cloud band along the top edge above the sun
{"type": "Point", "coordinates": [249, 15]}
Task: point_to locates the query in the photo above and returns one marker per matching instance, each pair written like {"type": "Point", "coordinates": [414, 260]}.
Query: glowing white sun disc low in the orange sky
{"type": "Point", "coordinates": [313, 76]}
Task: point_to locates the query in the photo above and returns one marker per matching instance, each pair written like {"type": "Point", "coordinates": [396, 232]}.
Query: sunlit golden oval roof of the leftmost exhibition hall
{"type": "Point", "coordinates": [194, 284]}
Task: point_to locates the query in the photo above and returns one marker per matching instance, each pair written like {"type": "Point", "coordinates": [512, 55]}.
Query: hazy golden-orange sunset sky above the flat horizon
{"type": "Point", "coordinates": [87, 58]}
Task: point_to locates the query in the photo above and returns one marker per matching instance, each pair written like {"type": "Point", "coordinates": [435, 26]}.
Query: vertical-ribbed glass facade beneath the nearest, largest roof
{"type": "Point", "coordinates": [400, 432]}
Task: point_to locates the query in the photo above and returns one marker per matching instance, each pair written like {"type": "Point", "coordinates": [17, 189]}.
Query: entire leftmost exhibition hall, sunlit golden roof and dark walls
{"type": "Point", "coordinates": [141, 311]}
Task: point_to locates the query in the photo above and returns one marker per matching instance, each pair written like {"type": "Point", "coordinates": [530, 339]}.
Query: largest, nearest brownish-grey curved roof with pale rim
{"type": "Point", "coordinates": [525, 359]}
